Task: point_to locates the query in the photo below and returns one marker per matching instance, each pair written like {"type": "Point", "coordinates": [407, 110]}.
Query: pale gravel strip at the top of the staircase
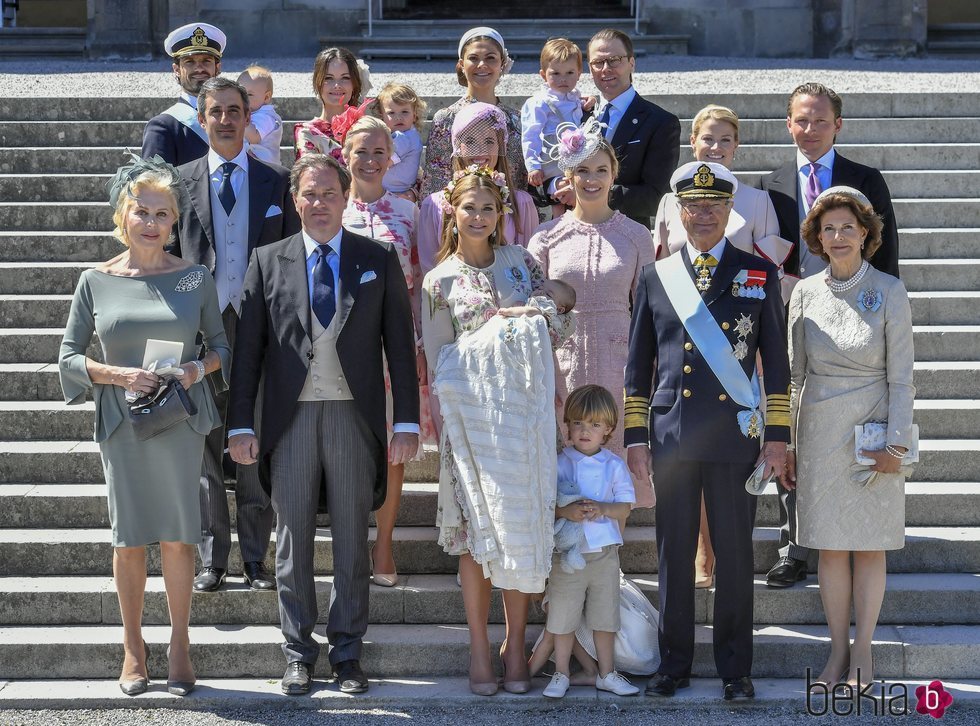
{"type": "Point", "coordinates": [655, 74]}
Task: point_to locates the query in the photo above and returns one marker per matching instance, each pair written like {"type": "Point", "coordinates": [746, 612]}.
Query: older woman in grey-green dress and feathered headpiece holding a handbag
{"type": "Point", "coordinates": [153, 485]}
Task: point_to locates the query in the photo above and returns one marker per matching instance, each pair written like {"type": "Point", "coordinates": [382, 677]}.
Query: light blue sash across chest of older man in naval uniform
{"type": "Point", "coordinates": [707, 336]}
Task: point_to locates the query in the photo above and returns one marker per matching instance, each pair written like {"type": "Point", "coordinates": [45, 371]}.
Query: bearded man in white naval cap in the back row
{"type": "Point", "coordinates": [176, 134]}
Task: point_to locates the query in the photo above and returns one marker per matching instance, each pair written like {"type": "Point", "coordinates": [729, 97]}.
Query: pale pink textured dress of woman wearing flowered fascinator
{"type": "Point", "coordinates": [603, 263]}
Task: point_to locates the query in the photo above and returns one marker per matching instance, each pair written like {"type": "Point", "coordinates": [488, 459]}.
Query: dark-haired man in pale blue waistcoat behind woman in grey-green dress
{"type": "Point", "coordinates": [233, 204]}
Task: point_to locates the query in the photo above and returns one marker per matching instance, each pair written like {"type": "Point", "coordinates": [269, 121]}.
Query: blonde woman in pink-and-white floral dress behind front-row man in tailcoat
{"type": "Point", "coordinates": [375, 213]}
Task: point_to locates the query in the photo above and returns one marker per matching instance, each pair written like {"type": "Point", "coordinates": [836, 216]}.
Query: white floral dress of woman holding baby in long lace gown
{"type": "Point", "coordinates": [458, 298]}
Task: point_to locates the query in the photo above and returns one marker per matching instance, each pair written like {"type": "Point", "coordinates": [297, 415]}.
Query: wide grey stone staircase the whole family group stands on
{"type": "Point", "coordinates": [59, 616]}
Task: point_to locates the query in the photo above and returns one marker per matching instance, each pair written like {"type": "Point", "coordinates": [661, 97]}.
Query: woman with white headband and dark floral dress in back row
{"type": "Point", "coordinates": [482, 61]}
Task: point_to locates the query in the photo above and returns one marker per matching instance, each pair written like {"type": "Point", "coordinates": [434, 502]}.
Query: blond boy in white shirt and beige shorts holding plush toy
{"type": "Point", "coordinates": [607, 489]}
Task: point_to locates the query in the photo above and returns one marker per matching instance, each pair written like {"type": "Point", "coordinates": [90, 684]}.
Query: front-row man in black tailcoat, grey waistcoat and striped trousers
{"type": "Point", "coordinates": [323, 309]}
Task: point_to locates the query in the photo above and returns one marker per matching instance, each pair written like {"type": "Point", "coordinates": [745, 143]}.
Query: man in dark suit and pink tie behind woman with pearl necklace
{"type": "Point", "coordinates": [813, 117]}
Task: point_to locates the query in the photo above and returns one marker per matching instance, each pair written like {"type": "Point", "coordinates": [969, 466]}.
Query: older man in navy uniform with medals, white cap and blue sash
{"type": "Point", "coordinates": [692, 396]}
